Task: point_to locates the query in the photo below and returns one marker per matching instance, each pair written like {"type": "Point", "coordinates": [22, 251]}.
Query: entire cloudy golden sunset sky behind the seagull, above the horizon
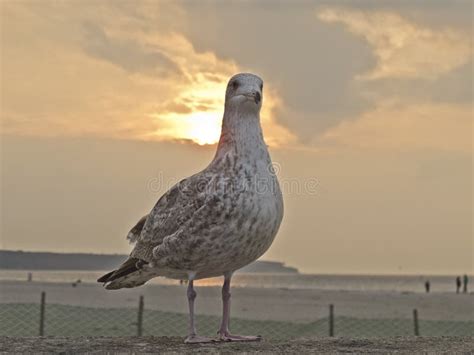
{"type": "Point", "coordinates": [367, 110]}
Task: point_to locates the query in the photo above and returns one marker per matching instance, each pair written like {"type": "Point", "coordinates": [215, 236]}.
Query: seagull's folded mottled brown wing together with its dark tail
{"type": "Point", "coordinates": [170, 233]}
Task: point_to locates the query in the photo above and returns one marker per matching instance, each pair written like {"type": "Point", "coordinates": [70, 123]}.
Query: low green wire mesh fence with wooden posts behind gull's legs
{"type": "Point", "coordinates": [43, 319]}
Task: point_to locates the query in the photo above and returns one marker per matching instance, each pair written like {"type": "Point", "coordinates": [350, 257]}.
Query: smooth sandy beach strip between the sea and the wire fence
{"type": "Point", "coordinates": [252, 303]}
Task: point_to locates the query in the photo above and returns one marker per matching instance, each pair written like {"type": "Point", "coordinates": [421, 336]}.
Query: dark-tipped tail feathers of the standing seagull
{"type": "Point", "coordinates": [130, 274]}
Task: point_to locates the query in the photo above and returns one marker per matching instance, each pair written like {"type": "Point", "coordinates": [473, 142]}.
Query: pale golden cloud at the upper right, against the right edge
{"type": "Point", "coordinates": [420, 86]}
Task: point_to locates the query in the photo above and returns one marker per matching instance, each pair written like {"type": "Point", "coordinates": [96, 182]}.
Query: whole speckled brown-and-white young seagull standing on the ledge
{"type": "Point", "coordinates": [216, 221]}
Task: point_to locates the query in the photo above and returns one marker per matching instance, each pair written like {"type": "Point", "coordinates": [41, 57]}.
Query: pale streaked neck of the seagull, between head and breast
{"type": "Point", "coordinates": [241, 134]}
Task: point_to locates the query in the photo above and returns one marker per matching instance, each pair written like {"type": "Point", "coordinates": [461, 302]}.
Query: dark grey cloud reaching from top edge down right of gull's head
{"type": "Point", "coordinates": [304, 59]}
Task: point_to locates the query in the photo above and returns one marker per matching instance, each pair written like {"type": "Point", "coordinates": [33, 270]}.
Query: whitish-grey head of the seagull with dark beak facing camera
{"type": "Point", "coordinates": [244, 92]}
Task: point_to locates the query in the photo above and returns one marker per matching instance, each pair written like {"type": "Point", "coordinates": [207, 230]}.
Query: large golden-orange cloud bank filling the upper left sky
{"type": "Point", "coordinates": [111, 71]}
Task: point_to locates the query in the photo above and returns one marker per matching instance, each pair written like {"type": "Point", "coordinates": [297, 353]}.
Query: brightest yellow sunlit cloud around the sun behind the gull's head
{"type": "Point", "coordinates": [203, 93]}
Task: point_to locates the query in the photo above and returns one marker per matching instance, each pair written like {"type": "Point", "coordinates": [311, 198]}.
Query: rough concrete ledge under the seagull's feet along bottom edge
{"type": "Point", "coordinates": [175, 345]}
